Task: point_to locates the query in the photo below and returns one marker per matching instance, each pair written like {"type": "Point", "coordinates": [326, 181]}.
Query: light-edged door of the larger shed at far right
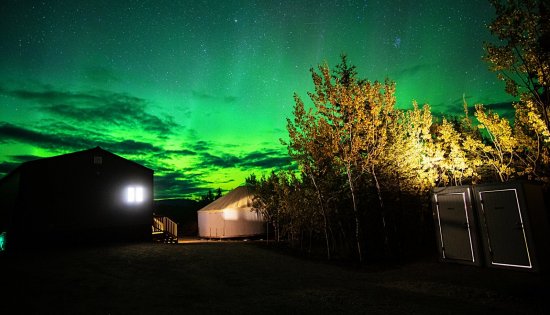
{"type": "Point", "coordinates": [504, 223]}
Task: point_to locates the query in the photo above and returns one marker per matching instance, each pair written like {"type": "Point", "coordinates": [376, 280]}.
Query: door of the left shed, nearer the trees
{"type": "Point", "coordinates": [454, 226]}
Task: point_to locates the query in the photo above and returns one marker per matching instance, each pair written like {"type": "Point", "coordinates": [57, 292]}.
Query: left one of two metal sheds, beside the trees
{"type": "Point", "coordinates": [456, 225]}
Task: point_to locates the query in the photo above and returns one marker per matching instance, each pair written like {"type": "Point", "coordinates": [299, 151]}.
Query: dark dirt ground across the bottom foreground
{"type": "Point", "coordinates": [250, 278]}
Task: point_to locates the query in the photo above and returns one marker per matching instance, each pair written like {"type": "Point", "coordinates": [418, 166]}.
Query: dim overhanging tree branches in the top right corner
{"type": "Point", "coordinates": [522, 56]}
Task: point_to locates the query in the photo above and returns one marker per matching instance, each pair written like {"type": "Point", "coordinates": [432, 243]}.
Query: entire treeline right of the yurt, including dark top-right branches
{"type": "Point", "coordinates": [366, 168]}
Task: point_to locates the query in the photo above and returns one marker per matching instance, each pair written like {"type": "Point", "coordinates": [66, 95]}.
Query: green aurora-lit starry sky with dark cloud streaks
{"type": "Point", "coordinates": [200, 91]}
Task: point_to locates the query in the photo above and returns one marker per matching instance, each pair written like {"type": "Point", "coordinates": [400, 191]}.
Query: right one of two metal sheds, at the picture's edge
{"type": "Point", "coordinates": [514, 223]}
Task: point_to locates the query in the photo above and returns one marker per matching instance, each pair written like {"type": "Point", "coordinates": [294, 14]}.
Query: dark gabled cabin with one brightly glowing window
{"type": "Point", "coordinates": [88, 196]}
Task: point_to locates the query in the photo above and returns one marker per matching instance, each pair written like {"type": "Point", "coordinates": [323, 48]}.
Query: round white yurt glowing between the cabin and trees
{"type": "Point", "coordinates": [231, 216]}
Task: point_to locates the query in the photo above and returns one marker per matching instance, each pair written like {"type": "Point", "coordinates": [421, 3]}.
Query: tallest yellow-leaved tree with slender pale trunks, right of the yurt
{"type": "Point", "coordinates": [354, 116]}
